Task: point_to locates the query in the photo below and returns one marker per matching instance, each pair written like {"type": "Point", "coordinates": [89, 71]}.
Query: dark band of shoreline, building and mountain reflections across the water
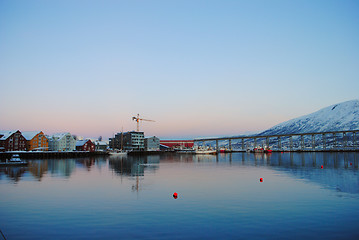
{"type": "Point", "coordinates": [340, 170]}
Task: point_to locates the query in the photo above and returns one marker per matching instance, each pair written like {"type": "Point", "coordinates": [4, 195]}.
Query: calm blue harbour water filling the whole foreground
{"type": "Point", "coordinates": [219, 197]}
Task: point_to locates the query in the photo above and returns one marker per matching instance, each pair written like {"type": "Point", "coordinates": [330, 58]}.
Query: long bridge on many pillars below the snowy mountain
{"type": "Point", "coordinates": [316, 141]}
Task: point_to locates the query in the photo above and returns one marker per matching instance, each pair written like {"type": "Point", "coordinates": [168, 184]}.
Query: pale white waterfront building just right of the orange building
{"type": "Point", "coordinates": [62, 142]}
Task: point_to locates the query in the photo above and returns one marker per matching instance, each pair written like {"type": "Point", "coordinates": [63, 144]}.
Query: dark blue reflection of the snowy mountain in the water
{"type": "Point", "coordinates": [339, 172]}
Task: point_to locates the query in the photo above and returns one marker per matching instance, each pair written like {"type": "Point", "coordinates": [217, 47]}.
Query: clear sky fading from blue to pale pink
{"type": "Point", "coordinates": [197, 68]}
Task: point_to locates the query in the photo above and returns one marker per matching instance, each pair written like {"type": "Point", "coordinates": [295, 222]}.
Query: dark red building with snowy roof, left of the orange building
{"type": "Point", "coordinates": [12, 141]}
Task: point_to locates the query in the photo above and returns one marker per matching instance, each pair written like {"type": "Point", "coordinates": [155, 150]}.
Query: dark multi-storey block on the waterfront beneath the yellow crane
{"type": "Point", "coordinates": [128, 141]}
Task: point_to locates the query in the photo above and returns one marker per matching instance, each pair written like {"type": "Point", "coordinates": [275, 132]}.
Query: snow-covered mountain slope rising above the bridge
{"type": "Point", "coordinates": [338, 117]}
